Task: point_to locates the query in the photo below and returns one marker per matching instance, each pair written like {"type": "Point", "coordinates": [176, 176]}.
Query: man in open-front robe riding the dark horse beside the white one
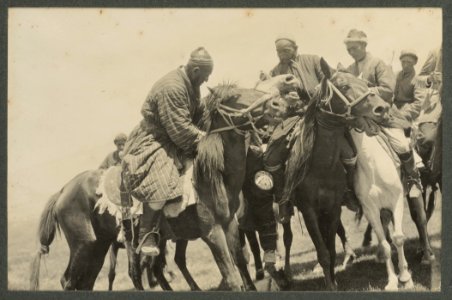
{"type": "Point", "coordinates": [307, 69]}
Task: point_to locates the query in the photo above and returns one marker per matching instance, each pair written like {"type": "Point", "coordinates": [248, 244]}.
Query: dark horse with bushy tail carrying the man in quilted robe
{"type": "Point", "coordinates": [218, 170]}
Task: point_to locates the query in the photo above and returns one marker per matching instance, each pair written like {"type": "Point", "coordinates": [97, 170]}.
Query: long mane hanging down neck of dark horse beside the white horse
{"type": "Point", "coordinates": [300, 156]}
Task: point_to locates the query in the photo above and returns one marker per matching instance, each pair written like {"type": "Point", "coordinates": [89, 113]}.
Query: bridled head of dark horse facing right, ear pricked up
{"type": "Point", "coordinates": [345, 95]}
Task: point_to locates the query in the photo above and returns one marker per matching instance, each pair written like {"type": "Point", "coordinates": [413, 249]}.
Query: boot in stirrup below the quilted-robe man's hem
{"type": "Point", "coordinates": [148, 234]}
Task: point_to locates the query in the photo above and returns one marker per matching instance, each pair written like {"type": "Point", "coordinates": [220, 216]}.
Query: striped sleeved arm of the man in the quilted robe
{"type": "Point", "coordinates": [175, 117]}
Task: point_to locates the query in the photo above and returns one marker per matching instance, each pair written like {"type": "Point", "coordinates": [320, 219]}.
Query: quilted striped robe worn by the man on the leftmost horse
{"type": "Point", "coordinates": [156, 149]}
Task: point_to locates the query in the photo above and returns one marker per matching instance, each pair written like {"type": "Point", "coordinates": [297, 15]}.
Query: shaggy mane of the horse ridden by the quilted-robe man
{"type": "Point", "coordinates": [208, 166]}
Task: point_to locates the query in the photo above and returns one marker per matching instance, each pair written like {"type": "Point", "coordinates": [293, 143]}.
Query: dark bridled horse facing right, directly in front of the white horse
{"type": "Point", "coordinates": [315, 175]}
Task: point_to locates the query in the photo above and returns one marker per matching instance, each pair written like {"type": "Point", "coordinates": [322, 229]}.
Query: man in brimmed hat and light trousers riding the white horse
{"type": "Point", "coordinates": [381, 80]}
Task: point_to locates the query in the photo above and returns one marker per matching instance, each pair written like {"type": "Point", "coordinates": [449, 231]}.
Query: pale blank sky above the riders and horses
{"type": "Point", "coordinates": [76, 77]}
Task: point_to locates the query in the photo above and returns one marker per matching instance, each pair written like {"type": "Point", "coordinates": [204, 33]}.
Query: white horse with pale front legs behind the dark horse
{"type": "Point", "coordinates": [378, 186]}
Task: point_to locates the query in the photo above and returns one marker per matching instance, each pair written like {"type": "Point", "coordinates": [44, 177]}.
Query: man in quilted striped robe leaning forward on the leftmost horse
{"type": "Point", "coordinates": [159, 148]}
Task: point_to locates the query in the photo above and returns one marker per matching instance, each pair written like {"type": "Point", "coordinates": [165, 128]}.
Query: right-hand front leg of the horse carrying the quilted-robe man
{"type": "Point", "coordinates": [232, 234]}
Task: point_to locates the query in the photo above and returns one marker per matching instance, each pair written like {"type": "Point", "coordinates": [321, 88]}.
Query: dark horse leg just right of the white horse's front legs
{"type": "Point", "coordinates": [418, 215]}
